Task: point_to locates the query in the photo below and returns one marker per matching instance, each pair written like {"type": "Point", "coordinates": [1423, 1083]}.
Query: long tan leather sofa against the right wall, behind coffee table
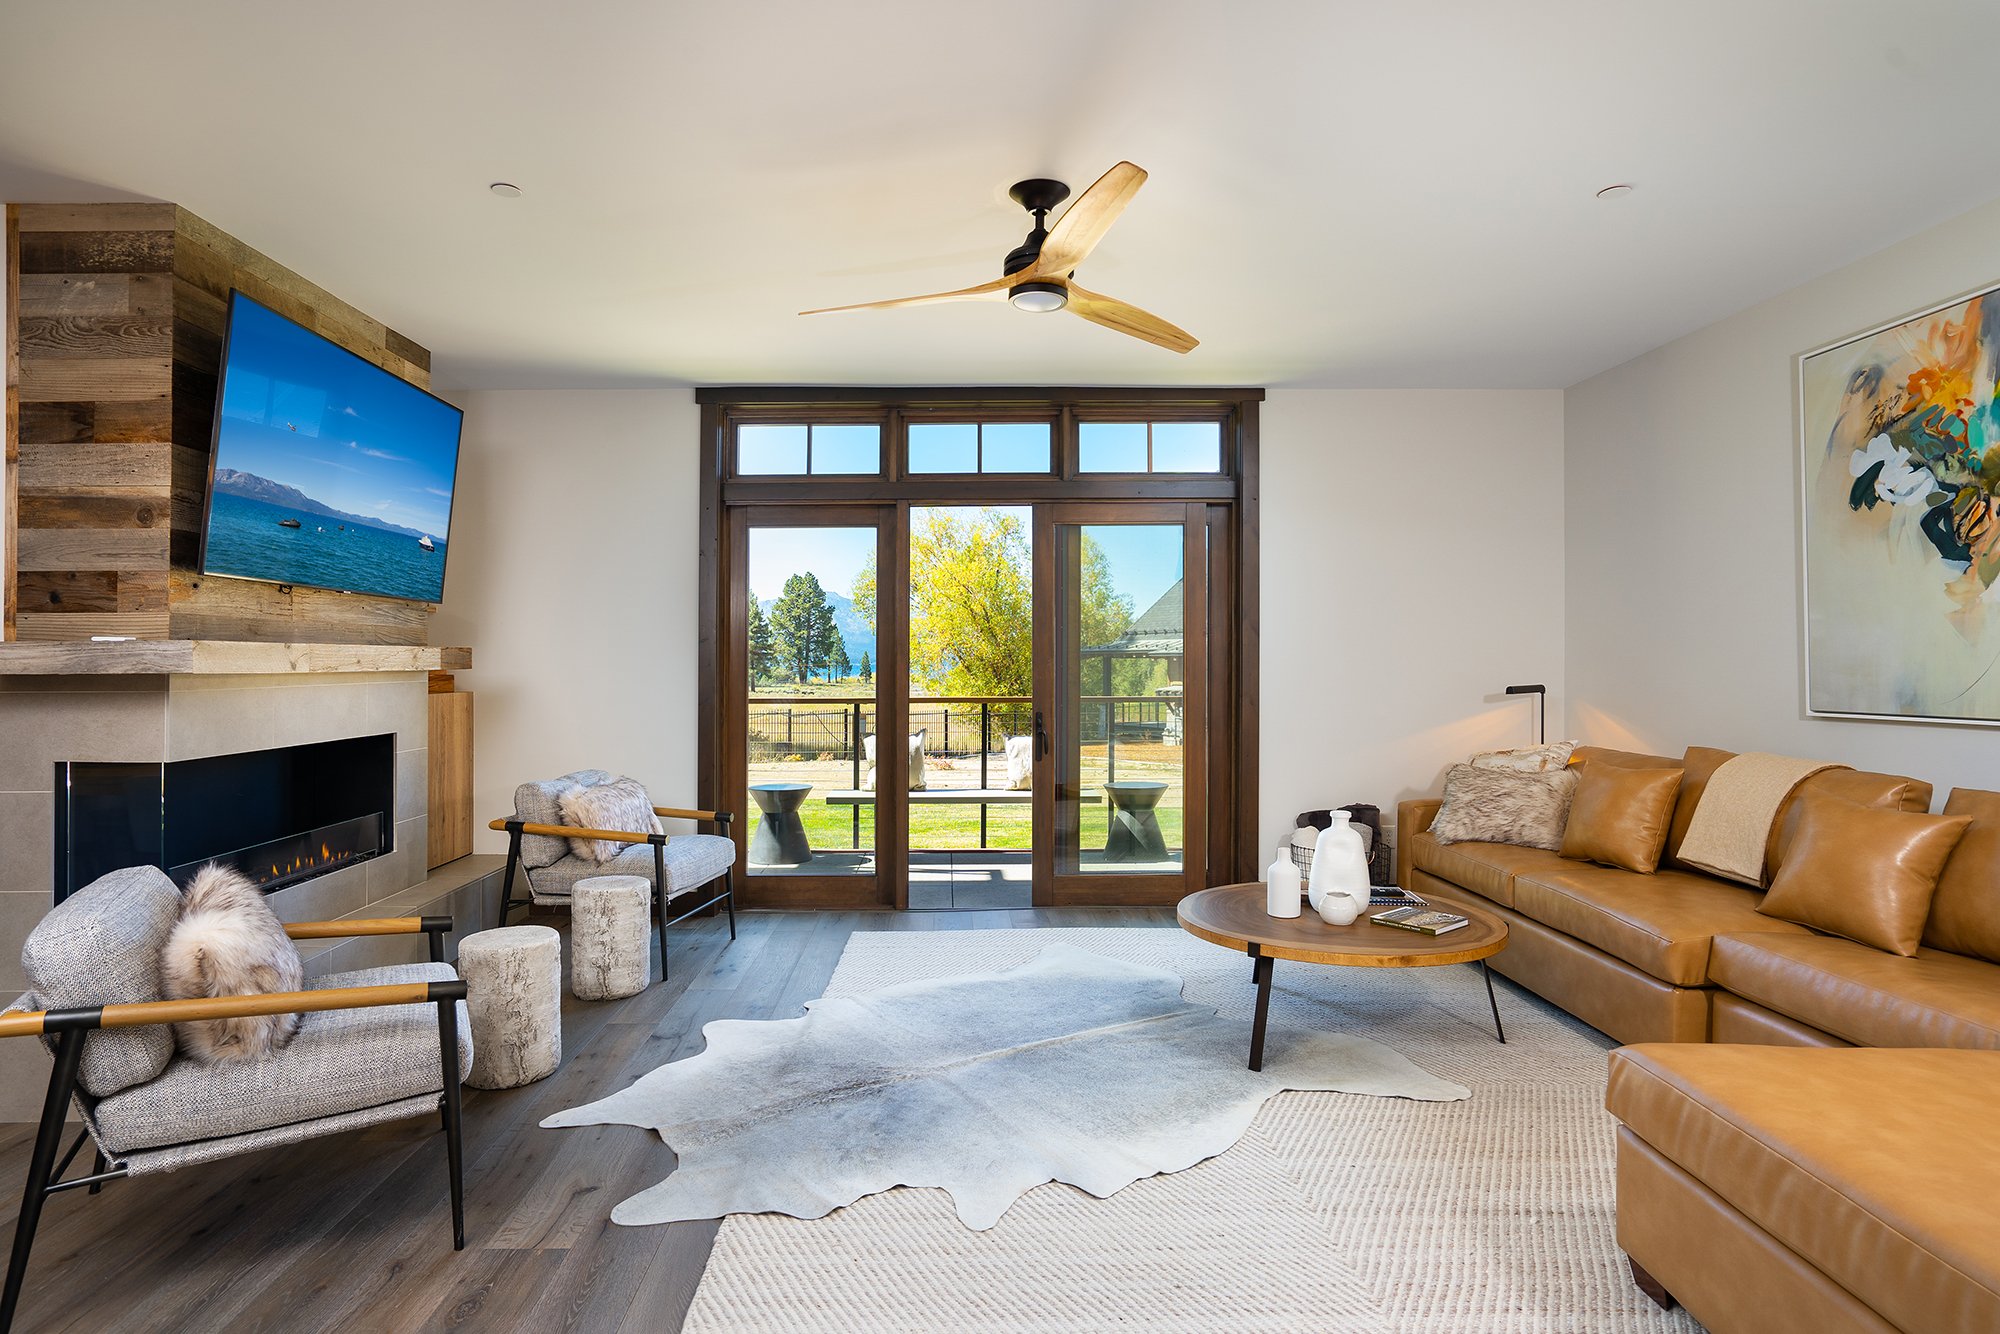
{"type": "Point", "coordinates": [1685, 957]}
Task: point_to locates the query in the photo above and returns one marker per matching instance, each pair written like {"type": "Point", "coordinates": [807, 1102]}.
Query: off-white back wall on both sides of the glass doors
{"type": "Point", "coordinates": [1413, 561]}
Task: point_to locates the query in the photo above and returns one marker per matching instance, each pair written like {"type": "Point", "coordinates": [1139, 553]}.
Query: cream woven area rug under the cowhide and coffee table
{"type": "Point", "coordinates": [1335, 1215]}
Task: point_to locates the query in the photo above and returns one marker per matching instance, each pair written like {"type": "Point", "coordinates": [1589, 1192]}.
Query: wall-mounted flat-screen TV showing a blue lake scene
{"type": "Point", "coordinates": [327, 471]}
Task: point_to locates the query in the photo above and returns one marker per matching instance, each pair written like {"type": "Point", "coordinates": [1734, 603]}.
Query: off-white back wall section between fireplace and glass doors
{"type": "Point", "coordinates": [575, 553]}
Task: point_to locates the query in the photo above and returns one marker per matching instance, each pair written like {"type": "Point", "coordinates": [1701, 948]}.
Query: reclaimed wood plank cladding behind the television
{"type": "Point", "coordinates": [115, 341]}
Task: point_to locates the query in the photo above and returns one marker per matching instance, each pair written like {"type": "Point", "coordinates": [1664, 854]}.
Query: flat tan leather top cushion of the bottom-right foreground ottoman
{"type": "Point", "coordinates": [1867, 1163]}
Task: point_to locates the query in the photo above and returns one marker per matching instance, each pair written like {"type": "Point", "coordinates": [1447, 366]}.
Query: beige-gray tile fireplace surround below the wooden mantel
{"type": "Point", "coordinates": [161, 719]}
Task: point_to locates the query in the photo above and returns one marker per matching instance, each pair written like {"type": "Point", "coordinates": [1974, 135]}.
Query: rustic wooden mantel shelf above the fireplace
{"type": "Point", "coordinates": [221, 659]}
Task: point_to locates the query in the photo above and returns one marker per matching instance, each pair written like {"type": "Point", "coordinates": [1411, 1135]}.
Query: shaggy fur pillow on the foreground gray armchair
{"type": "Point", "coordinates": [229, 943]}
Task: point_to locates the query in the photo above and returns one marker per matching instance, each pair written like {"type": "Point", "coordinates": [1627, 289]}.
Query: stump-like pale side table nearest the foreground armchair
{"type": "Point", "coordinates": [515, 993]}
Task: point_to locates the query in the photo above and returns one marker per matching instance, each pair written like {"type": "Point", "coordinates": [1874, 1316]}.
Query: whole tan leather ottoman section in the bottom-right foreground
{"type": "Point", "coordinates": [1805, 1193]}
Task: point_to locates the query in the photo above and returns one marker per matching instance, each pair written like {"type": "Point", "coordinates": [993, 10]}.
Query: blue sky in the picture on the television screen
{"type": "Point", "coordinates": [305, 413]}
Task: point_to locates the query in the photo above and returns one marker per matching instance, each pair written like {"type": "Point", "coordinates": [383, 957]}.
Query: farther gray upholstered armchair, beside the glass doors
{"type": "Point", "coordinates": [675, 865]}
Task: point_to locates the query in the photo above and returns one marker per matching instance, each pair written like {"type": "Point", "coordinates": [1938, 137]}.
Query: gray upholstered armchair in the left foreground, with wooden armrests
{"type": "Point", "coordinates": [375, 1045]}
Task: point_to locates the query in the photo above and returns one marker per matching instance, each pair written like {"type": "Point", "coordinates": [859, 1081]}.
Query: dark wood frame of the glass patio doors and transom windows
{"type": "Point", "coordinates": [1221, 513]}
